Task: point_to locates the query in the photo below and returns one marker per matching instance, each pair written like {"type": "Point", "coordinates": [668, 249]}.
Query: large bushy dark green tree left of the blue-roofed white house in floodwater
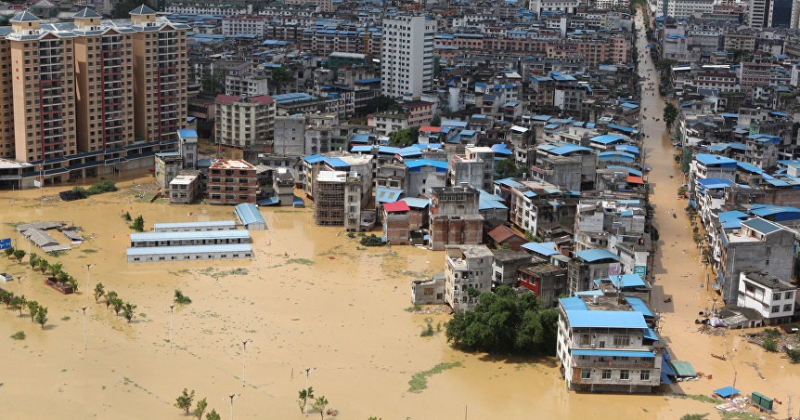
{"type": "Point", "coordinates": [504, 322]}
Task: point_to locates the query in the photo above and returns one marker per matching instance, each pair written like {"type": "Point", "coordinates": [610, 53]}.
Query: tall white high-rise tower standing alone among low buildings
{"type": "Point", "coordinates": [407, 56]}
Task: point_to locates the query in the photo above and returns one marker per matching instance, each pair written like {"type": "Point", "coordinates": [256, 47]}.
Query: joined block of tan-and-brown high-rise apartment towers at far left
{"type": "Point", "coordinates": [84, 100]}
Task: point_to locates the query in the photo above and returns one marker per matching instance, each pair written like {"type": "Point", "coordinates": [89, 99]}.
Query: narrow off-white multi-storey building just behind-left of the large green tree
{"type": "Point", "coordinates": [466, 266]}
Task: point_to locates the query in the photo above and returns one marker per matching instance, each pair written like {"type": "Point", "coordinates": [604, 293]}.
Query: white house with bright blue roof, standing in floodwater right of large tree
{"type": "Point", "coordinates": [605, 344]}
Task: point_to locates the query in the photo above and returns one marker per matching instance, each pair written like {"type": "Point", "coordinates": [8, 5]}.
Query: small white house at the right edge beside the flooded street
{"type": "Point", "coordinates": [772, 297]}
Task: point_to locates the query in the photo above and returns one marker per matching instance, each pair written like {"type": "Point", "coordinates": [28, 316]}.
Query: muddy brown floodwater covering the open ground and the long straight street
{"type": "Point", "coordinates": [312, 298]}
